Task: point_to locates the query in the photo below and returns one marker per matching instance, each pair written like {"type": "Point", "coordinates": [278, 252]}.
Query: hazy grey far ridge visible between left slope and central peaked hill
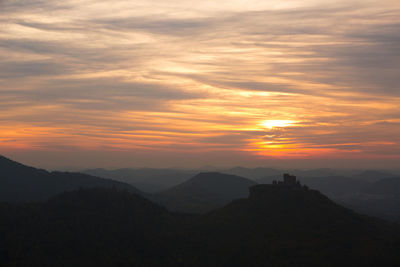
{"type": "Point", "coordinates": [146, 179]}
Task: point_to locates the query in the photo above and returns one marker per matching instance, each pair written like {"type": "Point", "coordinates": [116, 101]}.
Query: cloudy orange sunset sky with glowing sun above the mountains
{"type": "Point", "coordinates": [296, 83]}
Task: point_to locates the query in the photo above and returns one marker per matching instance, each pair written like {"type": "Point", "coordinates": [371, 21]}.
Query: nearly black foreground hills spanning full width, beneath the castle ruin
{"type": "Point", "coordinates": [276, 225]}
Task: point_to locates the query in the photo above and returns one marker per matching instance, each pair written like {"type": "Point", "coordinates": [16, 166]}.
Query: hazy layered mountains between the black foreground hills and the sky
{"type": "Point", "coordinates": [370, 192]}
